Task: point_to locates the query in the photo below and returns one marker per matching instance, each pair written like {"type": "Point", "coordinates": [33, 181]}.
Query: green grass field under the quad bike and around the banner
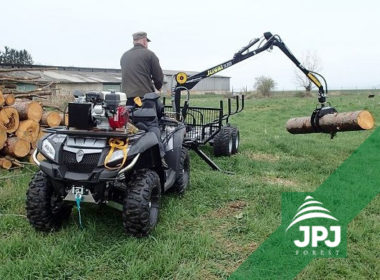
{"type": "Point", "coordinates": [218, 223]}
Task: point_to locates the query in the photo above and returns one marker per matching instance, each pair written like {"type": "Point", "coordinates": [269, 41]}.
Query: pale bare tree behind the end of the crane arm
{"type": "Point", "coordinates": [311, 62]}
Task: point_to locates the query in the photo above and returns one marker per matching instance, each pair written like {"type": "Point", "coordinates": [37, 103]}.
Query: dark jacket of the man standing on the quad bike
{"type": "Point", "coordinates": [139, 67]}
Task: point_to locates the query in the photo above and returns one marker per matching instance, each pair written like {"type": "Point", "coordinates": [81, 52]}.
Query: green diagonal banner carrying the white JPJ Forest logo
{"type": "Point", "coordinates": [314, 225]}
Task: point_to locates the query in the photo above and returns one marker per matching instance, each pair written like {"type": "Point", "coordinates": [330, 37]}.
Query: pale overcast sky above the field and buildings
{"type": "Point", "coordinates": [198, 34]}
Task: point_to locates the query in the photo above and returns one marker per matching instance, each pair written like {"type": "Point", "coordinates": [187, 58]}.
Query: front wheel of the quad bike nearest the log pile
{"type": "Point", "coordinates": [45, 210]}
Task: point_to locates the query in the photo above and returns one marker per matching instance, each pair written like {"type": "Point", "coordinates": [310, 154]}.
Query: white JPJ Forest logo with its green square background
{"type": "Point", "coordinates": [313, 230]}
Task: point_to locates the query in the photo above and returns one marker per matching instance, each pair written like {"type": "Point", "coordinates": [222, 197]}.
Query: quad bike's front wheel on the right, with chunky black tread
{"type": "Point", "coordinates": [142, 203]}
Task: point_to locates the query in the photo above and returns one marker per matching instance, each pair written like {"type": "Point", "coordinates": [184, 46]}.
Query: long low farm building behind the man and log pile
{"type": "Point", "coordinates": [67, 79]}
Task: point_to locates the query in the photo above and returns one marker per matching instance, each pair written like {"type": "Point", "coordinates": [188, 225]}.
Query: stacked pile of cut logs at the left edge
{"type": "Point", "coordinates": [22, 119]}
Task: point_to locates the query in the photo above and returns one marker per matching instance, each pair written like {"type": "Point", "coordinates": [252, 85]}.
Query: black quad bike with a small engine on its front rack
{"type": "Point", "coordinates": [89, 161]}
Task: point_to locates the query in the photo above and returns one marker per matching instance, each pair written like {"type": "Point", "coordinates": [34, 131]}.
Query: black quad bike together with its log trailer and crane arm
{"type": "Point", "coordinates": [97, 159]}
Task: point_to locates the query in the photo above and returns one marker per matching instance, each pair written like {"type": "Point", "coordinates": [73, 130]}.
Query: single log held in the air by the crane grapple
{"type": "Point", "coordinates": [348, 121]}
